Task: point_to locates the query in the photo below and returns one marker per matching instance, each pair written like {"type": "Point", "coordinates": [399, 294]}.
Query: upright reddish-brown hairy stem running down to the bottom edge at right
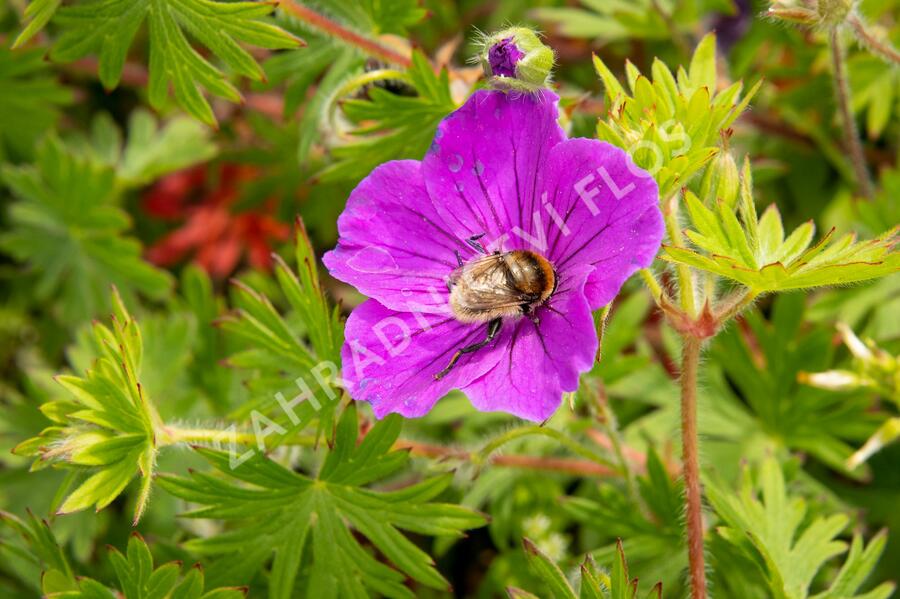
{"type": "Point", "coordinates": [691, 465]}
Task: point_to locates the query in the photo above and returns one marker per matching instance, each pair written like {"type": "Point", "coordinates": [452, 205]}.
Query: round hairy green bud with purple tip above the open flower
{"type": "Point", "coordinates": [515, 58]}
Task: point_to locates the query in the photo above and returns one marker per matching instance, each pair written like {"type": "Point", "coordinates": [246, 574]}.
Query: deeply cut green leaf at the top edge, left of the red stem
{"type": "Point", "coordinates": [108, 28]}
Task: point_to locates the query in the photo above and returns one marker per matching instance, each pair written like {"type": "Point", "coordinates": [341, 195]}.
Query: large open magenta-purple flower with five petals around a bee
{"type": "Point", "coordinates": [500, 176]}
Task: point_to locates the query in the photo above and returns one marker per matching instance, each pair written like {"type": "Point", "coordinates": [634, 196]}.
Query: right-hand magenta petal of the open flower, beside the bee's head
{"type": "Point", "coordinates": [602, 211]}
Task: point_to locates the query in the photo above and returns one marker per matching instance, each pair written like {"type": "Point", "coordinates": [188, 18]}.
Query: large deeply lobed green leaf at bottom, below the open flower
{"type": "Point", "coordinates": [297, 517]}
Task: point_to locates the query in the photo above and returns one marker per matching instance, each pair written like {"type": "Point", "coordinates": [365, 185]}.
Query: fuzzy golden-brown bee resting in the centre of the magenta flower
{"type": "Point", "coordinates": [495, 286]}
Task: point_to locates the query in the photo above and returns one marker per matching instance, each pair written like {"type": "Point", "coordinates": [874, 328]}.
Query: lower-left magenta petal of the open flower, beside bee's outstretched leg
{"type": "Point", "coordinates": [390, 358]}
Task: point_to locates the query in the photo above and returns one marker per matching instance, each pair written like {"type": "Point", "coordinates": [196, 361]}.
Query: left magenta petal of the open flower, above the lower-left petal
{"type": "Point", "coordinates": [393, 245]}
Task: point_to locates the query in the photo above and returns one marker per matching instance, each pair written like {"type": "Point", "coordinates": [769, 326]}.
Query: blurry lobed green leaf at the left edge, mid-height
{"type": "Point", "coordinates": [67, 228]}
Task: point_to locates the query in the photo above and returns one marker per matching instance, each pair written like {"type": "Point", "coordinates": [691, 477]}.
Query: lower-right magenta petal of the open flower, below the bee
{"type": "Point", "coordinates": [540, 362]}
